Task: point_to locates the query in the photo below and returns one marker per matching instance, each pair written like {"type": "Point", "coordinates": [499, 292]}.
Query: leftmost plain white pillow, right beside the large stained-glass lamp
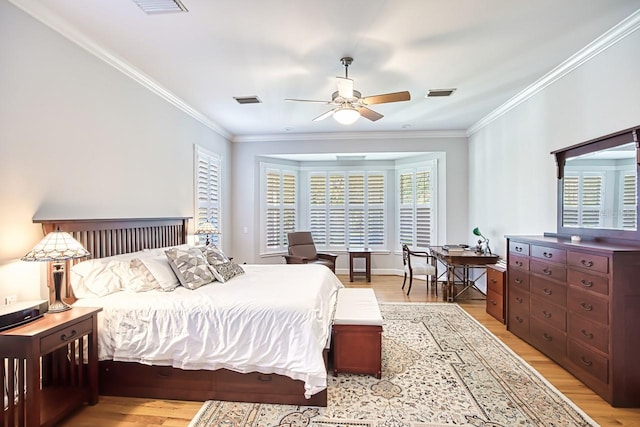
{"type": "Point", "coordinates": [96, 278]}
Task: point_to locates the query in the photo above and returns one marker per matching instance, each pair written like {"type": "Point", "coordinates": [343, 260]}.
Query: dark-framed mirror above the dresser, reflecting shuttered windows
{"type": "Point", "coordinates": [598, 187]}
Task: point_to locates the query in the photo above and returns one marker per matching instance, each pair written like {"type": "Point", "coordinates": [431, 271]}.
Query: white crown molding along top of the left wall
{"type": "Point", "coordinates": [39, 12]}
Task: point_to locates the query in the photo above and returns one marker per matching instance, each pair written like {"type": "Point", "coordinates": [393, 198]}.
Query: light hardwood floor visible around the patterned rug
{"type": "Point", "coordinates": [128, 412]}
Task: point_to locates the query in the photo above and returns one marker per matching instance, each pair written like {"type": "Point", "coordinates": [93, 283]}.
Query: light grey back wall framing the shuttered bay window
{"type": "Point", "coordinates": [246, 179]}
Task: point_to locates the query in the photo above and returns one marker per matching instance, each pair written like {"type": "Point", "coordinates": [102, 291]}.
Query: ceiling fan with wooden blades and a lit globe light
{"type": "Point", "coordinates": [350, 104]}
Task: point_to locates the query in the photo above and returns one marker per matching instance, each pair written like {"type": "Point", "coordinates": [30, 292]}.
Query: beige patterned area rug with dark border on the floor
{"type": "Point", "coordinates": [440, 368]}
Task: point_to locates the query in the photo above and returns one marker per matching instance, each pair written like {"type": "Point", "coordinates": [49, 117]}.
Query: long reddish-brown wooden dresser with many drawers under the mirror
{"type": "Point", "coordinates": [579, 303]}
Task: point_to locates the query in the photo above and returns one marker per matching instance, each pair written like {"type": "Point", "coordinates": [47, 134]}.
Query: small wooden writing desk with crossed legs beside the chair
{"type": "Point", "coordinates": [464, 260]}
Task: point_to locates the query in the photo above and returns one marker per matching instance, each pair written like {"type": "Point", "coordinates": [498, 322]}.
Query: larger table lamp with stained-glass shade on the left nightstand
{"type": "Point", "coordinates": [58, 247]}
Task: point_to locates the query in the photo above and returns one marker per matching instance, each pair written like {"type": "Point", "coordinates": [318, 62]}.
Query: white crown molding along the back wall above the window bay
{"type": "Point", "coordinates": [333, 136]}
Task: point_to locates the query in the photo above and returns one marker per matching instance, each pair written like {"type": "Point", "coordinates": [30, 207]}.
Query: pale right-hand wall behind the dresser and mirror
{"type": "Point", "coordinates": [512, 184]}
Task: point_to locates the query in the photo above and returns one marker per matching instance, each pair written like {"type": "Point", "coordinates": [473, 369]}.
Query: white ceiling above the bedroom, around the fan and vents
{"type": "Point", "coordinates": [489, 50]}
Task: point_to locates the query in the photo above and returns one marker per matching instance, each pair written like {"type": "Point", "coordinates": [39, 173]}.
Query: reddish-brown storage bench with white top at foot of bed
{"type": "Point", "coordinates": [357, 333]}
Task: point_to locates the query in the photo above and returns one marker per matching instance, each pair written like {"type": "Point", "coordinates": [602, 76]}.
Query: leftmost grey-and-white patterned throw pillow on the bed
{"type": "Point", "coordinates": [190, 266]}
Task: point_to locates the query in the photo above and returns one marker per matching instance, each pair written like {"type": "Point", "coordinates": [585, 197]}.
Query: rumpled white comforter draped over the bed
{"type": "Point", "coordinates": [272, 319]}
